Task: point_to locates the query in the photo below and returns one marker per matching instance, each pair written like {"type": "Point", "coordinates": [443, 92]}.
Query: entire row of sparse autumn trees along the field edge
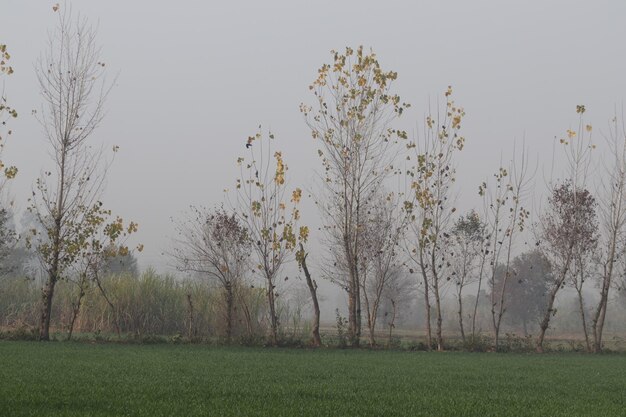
{"type": "Point", "coordinates": [376, 235]}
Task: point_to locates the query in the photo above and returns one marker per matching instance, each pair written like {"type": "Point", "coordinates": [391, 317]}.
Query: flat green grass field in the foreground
{"type": "Point", "coordinates": [78, 379]}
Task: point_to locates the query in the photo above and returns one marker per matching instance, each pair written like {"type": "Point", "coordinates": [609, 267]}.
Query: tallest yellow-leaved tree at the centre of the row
{"type": "Point", "coordinates": [352, 121]}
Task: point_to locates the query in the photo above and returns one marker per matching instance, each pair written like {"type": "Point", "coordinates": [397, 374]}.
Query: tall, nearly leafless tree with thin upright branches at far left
{"type": "Point", "coordinates": [65, 200]}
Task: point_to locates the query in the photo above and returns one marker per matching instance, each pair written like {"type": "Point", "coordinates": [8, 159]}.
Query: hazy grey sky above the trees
{"type": "Point", "coordinates": [197, 77]}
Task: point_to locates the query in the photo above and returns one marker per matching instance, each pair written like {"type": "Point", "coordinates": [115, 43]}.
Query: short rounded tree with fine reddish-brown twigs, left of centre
{"type": "Point", "coordinates": [216, 244]}
